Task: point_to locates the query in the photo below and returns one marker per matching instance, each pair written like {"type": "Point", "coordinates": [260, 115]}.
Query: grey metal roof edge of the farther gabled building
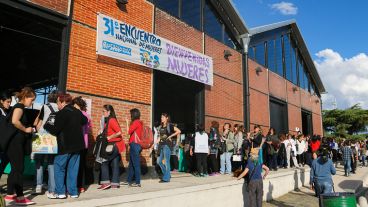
{"type": "Point", "coordinates": [302, 46]}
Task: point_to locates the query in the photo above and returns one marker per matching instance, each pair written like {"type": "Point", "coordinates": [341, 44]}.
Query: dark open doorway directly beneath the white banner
{"type": "Point", "coordinates": [181, 98]}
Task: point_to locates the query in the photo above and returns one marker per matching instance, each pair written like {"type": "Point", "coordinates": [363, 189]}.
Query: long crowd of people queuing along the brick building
{"type": "Point", "coordinates": [226, 150]}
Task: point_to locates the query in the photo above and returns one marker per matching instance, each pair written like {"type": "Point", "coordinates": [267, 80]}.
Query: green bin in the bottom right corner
{"type": "Point", "coordinates": [338, 200]}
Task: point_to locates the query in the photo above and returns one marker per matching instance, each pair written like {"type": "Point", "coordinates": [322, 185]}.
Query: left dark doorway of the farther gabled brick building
{"type": "Point", "coordinates": [279, 116]}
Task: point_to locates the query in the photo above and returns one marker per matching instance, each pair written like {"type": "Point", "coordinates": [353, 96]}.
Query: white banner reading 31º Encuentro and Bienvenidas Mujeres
{"type": "Point", "coordinates": [123, 41]}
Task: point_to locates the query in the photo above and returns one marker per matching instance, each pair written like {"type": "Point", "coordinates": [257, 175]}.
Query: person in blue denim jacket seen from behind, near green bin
{"type": "Point", "coordinates": [321, 173]}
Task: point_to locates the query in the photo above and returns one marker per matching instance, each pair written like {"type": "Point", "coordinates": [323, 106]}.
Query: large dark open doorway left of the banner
{"type": "Point", "coordinates": [30, 50]}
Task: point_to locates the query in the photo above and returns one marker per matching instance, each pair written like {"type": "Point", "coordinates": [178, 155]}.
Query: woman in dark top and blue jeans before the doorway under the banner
{"type": "Point", "coordinates": [166, 131]}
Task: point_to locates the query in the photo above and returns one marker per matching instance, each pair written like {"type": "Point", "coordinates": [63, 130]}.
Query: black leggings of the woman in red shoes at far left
{"type": "Point", "coordinates": [15, 154]}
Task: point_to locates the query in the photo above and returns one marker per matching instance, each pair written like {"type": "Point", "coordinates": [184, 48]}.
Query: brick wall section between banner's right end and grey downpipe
{"type": "Point", "coordinates": [225, 98]}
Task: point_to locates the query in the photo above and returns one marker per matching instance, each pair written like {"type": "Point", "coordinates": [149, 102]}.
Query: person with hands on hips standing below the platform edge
{"type": "Point", "coordinates": [254, 181]}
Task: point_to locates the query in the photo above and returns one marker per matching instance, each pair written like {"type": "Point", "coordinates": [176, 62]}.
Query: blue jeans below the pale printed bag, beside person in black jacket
{"type": "Point", "coordinates": [39, 160]}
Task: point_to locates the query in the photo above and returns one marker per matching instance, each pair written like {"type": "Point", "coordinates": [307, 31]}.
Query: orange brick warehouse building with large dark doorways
{"type": "Point", "coordinates": [54, 44]}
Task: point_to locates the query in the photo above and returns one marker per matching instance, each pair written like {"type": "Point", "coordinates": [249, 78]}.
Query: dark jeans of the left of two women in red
{"type": "Point", "coordinates": [114, 161]}
